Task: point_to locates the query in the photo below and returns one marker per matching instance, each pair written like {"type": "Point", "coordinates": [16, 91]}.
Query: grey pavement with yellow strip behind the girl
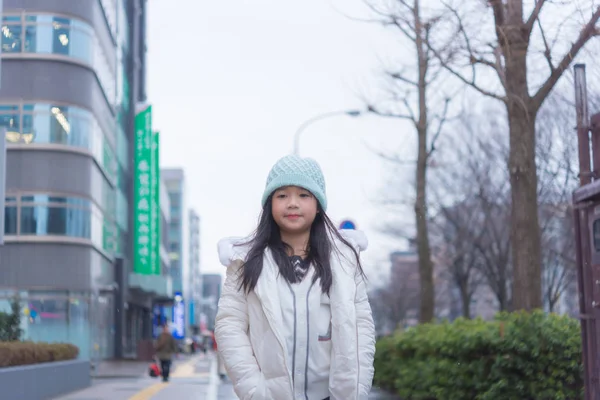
{"type": "Point", "coordinates": [195, 379]}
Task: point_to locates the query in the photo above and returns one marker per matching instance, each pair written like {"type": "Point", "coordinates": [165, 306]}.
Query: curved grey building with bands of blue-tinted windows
{"type": "Point", "coordinates": [72, 72]}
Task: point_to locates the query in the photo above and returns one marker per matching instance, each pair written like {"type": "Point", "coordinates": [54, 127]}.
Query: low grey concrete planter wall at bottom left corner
{"type": "Point", "coordinates": [44, 381]}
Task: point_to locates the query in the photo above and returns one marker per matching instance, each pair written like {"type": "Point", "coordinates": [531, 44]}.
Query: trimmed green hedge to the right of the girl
{"type": "Point", "coordinates": [518, 356]}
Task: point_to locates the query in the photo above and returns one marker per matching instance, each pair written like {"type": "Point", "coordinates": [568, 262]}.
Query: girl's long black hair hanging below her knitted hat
{"type": "Point", "coordinates": [320, 247]}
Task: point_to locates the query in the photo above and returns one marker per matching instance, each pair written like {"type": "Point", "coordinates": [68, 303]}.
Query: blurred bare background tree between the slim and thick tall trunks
{"type": "Point", "coordinates": [474, 223]}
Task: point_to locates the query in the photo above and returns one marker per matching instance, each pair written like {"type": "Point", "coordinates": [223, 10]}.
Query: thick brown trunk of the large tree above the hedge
{"type": "Point", "coordinates": [525, 230]}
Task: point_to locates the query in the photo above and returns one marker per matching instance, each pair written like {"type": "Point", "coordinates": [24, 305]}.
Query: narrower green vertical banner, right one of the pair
{"type": "Point", "coordinates": [155, 206]}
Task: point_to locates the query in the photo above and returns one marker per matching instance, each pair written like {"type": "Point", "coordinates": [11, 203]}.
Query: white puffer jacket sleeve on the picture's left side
{"type": "Point", "coordinates": [231, 333]}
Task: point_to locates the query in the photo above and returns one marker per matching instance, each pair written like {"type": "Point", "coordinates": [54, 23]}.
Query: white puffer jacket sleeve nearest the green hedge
{"type": "Point", "coordinates": [365, 337]}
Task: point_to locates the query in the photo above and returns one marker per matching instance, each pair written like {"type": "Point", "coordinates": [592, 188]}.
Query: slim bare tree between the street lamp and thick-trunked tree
{"type": "Point", "coordinates": [405, 83]}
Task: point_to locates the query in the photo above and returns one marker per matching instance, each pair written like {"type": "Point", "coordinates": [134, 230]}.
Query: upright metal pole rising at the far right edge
{"type": "Point", "coordinates": [583, 128]}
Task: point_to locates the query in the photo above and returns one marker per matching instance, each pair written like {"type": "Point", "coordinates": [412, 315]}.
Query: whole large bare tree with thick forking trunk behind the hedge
{"type": "Point", "coordinates": [471, 55]}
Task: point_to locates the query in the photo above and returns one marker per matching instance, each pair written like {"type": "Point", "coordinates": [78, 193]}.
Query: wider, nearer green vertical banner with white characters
{"type": "Point", "coordinates": [143, 245]}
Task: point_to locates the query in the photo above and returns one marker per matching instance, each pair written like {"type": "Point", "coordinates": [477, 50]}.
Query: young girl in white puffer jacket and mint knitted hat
{"type": "Point", "coordinates": [294, 320]}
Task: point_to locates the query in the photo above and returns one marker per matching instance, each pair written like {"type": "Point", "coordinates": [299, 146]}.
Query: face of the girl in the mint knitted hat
{"type": "Point", "coordinates": [294, 209]}
